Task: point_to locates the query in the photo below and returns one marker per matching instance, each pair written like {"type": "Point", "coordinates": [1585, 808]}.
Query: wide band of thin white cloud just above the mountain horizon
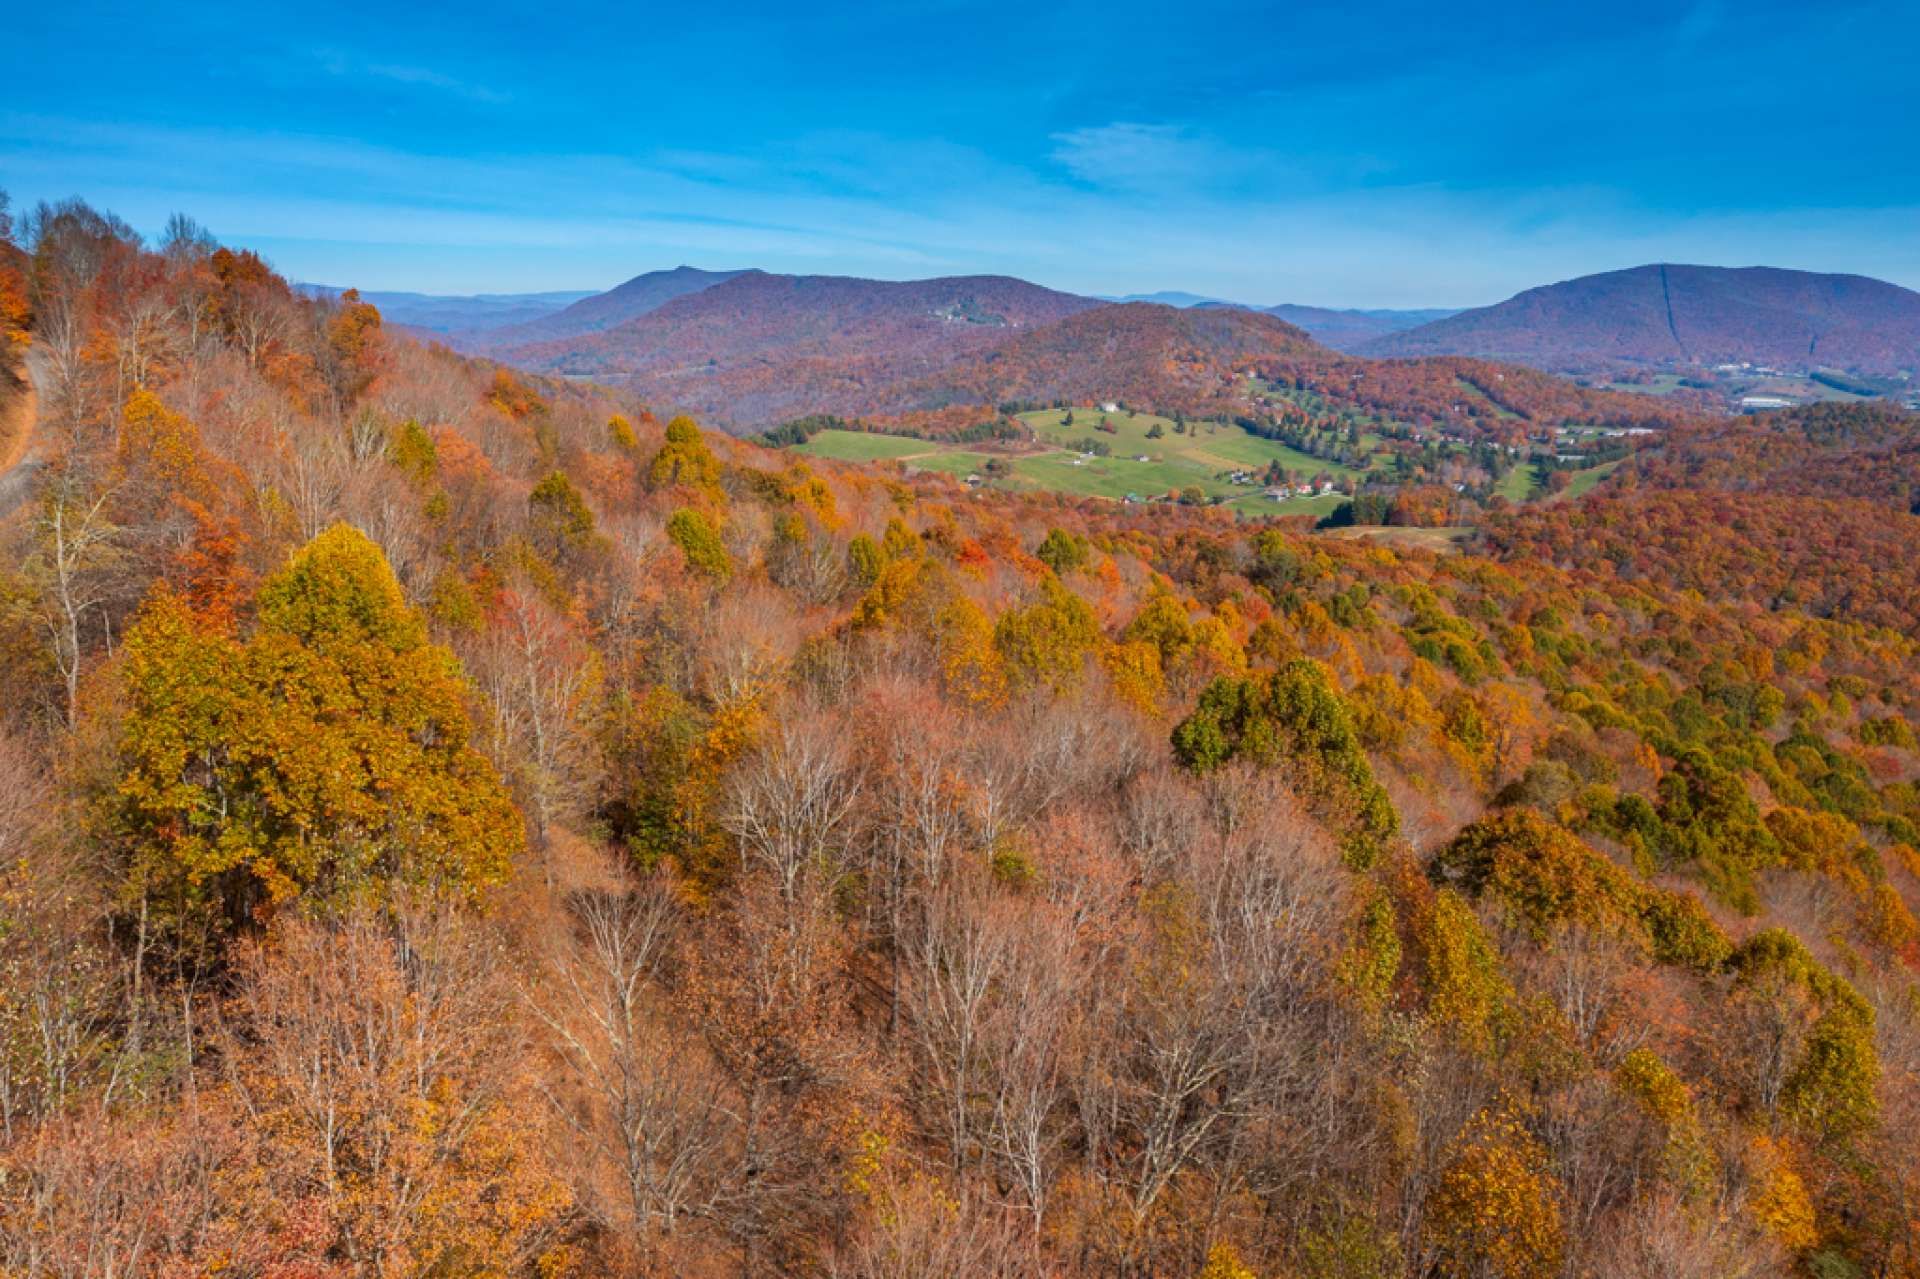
{"type": "Point", "coordinates": [853, 205]}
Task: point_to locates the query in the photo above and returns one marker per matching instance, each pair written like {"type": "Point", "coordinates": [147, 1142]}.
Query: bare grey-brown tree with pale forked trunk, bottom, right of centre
{"type": "Point", "coordinates": [1222, 1028]}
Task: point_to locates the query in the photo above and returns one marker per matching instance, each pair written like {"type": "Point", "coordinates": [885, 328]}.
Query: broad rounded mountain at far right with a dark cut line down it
{"type": "Point", "coordinates": [1687, 316]}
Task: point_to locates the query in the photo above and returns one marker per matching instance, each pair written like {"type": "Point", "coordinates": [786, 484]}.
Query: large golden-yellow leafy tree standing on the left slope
{"type": "Point", "coordinates": [324, 756]}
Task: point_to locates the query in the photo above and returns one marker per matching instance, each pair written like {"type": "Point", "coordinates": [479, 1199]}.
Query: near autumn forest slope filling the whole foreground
{"type": "Point", "coordinates": [456, 823]}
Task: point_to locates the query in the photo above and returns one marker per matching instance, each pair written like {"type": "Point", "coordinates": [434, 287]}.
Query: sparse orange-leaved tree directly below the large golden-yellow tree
{"type": "Point", "coordinates": [383, 1057]}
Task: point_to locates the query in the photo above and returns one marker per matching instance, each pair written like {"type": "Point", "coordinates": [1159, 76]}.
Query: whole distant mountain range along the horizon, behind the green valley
{"type": "Point", "coordinates": [752, 349]}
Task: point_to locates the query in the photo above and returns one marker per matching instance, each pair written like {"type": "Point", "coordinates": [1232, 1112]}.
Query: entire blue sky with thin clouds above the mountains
{"type": "Point", "coordinates": [1343, 155]}
